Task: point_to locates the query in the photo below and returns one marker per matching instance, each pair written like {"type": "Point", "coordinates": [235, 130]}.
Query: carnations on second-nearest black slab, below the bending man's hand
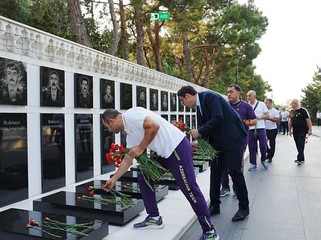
{"type": "Point", "coordinates": [117, 199]}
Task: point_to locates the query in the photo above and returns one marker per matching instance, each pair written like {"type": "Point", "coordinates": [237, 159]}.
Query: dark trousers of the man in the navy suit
{"type": "Point", "coordinates": [233, 161]}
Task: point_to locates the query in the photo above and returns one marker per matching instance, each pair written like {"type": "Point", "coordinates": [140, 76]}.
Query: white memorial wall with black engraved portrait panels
{"type": "Point", "coordinates": [52, 95]}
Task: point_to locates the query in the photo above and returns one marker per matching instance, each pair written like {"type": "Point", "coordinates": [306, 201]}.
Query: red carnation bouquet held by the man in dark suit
{"type": "Point", "coordinates": [205, 149]}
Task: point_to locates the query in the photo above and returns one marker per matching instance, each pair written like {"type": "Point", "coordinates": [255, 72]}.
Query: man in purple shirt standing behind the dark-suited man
{"type": "Point", "coordinates": [246, 112]}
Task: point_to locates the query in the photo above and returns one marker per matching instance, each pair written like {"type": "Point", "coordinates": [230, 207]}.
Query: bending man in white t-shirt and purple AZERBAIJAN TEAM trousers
{"type": "Point", "coordinates": [146, 129]}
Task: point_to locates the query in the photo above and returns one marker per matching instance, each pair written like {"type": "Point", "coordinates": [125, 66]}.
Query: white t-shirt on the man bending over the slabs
{"type": "Point", "coordinates": [166, 140]}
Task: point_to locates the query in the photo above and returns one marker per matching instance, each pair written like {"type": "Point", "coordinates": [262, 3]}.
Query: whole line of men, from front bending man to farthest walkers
{"type": "Point", "coordinates": [229, 126]}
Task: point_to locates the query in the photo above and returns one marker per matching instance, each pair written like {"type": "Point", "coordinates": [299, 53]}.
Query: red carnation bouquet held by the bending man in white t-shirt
{"type": "Point", "coordinates": [147, 164]}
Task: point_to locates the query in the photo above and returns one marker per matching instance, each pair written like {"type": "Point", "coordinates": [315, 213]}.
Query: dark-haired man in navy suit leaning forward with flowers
{"type": "Point", "coordinates": [223, 128]}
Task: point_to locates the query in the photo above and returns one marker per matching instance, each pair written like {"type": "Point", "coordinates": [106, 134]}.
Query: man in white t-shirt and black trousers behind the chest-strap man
{"type": "Point", "coordinates": [271, 128]}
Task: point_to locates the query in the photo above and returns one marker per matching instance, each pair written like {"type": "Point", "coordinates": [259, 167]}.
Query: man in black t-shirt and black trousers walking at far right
{"type": "Point", "coordinates": [299, 126]}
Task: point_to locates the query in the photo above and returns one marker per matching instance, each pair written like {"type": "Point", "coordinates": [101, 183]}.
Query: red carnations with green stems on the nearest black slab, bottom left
{"type": "Point", "coordinates": [53, 227]}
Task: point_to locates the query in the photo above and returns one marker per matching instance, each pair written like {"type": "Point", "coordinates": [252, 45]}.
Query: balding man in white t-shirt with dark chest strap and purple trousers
{"type": "Point", "coordinates": [257, 132]}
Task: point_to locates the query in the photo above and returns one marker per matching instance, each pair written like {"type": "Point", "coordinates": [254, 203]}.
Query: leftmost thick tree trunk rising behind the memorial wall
{"type": "Point", "coordinates": [78, 26]}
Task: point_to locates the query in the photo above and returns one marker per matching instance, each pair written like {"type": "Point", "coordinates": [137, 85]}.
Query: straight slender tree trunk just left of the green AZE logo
{"type": "Point", "coordinates": [140, 37]}
